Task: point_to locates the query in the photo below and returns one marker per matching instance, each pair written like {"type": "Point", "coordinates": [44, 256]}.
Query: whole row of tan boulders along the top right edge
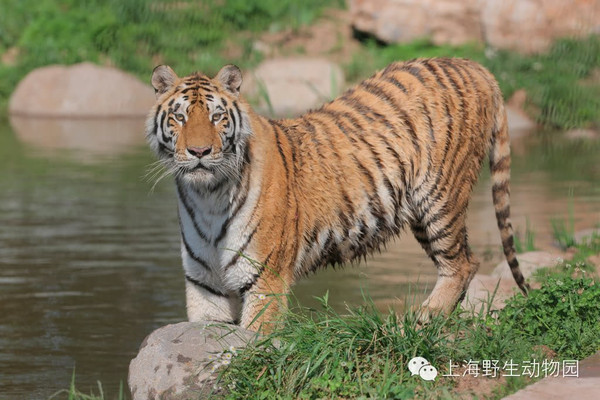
{"type": "Point", "coordinates": [523, 25]}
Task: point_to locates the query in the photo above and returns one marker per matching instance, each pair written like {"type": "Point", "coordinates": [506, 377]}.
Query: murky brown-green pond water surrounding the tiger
{"type": "Point", "coordinates": [89, 251]}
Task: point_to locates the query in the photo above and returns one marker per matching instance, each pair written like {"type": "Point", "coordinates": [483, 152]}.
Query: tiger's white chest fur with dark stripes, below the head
{"type": "Point", "coordinates": [217, 230]}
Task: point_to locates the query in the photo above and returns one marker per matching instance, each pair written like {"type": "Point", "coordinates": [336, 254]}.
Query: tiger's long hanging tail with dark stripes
{"type": "Point", "coordinates": [500, 169]}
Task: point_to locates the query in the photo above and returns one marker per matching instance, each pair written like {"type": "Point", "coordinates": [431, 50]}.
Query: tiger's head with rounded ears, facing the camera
{"type": "Point", "coordinates": [199, 126]}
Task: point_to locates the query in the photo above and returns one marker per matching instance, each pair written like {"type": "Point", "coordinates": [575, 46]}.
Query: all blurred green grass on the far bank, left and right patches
{"type": "Point", "coordinates": [562, 85]}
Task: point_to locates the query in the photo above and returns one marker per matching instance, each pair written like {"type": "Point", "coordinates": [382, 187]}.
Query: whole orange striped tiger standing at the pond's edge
{"type": "Point", "coordinates": [263, 202]}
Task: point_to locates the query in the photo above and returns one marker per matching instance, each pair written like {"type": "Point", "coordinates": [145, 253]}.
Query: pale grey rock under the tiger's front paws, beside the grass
{"type": "Point", "coordinates": [182, 361]}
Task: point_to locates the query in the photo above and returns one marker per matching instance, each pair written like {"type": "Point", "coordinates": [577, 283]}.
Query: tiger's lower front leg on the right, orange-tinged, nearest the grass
{"type": "Point", "coordinates": [264, 304]}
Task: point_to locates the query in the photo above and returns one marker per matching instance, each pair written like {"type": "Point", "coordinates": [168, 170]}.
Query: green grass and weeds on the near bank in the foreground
{"type": "Point", "coordinates": [319, 353]}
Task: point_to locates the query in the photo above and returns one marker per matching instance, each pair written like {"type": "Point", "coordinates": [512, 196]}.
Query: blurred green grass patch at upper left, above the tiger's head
{"type": "Point", "coordinates": [138, 34]}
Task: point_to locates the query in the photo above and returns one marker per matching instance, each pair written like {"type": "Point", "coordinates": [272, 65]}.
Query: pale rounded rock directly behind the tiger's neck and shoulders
{"type": "Point", "coordinates": [290, 86]}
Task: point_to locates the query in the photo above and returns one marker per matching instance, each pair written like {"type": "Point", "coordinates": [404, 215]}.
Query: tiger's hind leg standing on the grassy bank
{"type": "Point", "coordinates": [444, 238]}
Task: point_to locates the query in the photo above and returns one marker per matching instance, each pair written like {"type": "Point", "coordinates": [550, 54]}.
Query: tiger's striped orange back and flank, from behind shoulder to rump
{"type": "Point", "coordinates": [374, 157]}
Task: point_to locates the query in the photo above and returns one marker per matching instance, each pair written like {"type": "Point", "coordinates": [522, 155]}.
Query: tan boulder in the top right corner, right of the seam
{"type": "Point", "coordinates": [530, 26]}
